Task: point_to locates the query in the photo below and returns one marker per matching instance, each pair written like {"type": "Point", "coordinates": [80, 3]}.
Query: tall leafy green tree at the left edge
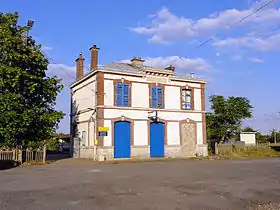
{"type": "Point", "coordinates": [27, 95]}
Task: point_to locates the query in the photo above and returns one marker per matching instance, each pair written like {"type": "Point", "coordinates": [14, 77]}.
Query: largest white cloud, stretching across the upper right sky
{"type": "Point", "coordinates": [166, 27]}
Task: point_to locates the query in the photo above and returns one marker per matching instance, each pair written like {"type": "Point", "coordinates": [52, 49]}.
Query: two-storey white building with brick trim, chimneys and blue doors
{"type": "Point", "coordinates": [129, 110]}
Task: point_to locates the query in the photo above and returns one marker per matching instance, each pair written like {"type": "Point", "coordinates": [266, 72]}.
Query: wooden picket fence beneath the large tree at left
{"type": "Point", "coordinates": [26, 155]}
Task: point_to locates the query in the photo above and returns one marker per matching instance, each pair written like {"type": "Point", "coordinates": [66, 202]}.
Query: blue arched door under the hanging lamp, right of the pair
{"type": "Point", "coordinates": [157, 139]}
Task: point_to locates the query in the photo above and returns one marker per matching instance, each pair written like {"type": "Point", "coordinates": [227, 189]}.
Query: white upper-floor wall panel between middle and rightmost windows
{"type": "Point", "coordinates": [172, 97]}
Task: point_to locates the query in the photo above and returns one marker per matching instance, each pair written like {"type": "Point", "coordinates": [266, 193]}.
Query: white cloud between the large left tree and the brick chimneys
{"type": "Point", "coordinates": [64, 72]}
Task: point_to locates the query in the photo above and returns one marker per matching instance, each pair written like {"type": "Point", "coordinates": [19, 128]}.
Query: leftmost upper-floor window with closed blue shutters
{"type": "Point", "coordinates": [122, 94]}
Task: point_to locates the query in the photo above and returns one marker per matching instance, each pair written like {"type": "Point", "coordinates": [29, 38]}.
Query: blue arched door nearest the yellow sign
{"type": "Point", "coordinates": [122, 139]}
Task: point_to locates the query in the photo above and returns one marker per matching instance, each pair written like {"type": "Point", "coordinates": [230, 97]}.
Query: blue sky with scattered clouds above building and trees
{"type": "Point", "coordinates": [239, 60]}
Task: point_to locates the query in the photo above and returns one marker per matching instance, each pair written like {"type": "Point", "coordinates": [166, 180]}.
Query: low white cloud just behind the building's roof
{"type": "Point", "coordinates": [181, 63]}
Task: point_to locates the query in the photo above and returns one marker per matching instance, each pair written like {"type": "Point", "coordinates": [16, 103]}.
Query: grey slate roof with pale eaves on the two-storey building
{"type": "Point", "coordinates": [118, 67]}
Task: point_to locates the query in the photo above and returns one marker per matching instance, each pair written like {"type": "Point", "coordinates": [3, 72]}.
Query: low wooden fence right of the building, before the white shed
{"type": "Point", "coordinates": [223, 149]}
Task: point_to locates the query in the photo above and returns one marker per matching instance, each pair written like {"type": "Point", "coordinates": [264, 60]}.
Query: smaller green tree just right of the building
{"type": "Point", "coordinates": [226, 116]}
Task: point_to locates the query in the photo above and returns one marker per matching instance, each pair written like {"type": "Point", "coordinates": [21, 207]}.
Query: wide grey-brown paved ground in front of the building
{"type": "Point", "coordinates": [192, 184]}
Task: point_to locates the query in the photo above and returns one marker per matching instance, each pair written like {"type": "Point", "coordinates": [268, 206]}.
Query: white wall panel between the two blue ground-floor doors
{"type": "Point", "coordinates": [140, 133]}
